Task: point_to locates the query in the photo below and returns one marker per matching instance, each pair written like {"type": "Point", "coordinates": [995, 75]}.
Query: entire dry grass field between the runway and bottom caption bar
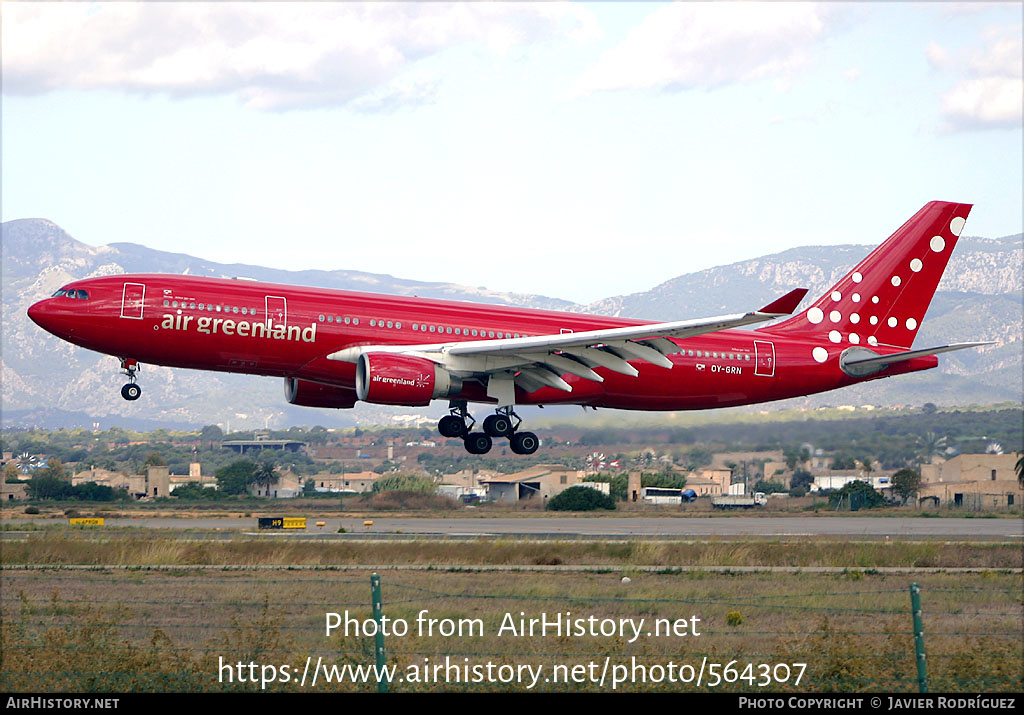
{"type": "Point", "coordinates": [166, 614]}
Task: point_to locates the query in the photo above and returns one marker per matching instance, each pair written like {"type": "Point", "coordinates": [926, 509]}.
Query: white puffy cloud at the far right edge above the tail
{"type": "Point", "coordinates": [993, 94]}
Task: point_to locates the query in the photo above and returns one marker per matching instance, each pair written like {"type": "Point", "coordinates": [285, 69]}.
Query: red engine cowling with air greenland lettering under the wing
{"type": "Point", "coordinates": [385, 378]}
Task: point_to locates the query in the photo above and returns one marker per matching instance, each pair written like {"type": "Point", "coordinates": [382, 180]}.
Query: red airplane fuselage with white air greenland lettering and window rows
{"type": "Point", "coordinates": [255, 328]}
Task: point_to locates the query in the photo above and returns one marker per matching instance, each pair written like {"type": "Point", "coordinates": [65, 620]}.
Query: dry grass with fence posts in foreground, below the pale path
{"type": "Point", "coordinates": [140, 632]}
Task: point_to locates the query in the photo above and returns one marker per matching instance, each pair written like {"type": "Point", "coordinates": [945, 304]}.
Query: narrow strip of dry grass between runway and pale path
{"type": "Point", "coordinates": [134, 549]}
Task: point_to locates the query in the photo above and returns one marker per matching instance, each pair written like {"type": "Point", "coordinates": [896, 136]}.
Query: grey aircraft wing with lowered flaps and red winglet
{"type": "Point", "coordinates": [541, 361]}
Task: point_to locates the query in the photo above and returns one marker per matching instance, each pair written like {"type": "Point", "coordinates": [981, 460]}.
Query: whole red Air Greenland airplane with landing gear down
{"type": "Point", "coordinates": [336, 348]}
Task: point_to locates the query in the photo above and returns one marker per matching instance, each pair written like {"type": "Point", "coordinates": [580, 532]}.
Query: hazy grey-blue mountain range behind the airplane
{"type": "Point", "coordinates": [49, 383]}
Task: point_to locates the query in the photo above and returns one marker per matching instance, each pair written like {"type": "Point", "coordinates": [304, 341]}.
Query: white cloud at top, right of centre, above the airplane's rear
{"type": "Point", "coordinates": [687, 46]}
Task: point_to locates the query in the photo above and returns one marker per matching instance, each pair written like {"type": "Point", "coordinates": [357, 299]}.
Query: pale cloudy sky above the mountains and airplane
{"type": "Point", "coordinates": [576, 151]}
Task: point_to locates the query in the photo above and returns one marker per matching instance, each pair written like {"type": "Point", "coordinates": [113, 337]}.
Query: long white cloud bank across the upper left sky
{"type": "Point", "coordinates": [271, 56]}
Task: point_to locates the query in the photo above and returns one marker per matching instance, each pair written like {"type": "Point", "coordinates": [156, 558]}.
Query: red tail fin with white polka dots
{"type": "Point", "coordinates": [883, 301]}
